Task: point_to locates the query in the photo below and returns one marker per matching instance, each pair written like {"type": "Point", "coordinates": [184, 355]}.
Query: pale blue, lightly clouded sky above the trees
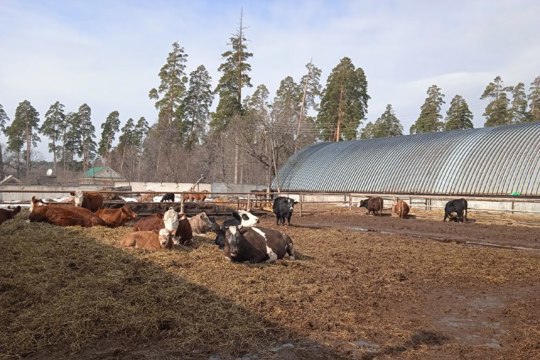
{"type": "Point", "coordinates": [107, 54]}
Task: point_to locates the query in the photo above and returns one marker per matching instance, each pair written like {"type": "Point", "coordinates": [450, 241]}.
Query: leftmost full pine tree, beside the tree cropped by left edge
{"type": "Point", "coordinates": [23, 129]}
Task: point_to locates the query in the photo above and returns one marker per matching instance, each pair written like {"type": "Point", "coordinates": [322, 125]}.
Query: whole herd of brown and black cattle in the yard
{"type": "Point", "coordinates": [238, 236]}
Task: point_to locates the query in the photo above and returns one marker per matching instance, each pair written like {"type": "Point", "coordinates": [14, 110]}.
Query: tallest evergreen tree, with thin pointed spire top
{"type": "Point", "coordinates": [235, 69]}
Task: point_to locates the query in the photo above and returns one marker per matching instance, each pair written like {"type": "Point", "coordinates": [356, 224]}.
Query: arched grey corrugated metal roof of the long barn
{"type": "Point", "coordinates": [487, 161]}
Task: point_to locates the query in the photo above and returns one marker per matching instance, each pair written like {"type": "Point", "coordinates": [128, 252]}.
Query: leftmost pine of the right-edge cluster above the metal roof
{"type": "Point", "coordinates": [497, 111]}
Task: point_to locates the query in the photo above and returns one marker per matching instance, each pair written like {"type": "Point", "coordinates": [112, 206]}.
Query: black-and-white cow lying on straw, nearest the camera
{"type": "Point", "coordinates": [256, 244]}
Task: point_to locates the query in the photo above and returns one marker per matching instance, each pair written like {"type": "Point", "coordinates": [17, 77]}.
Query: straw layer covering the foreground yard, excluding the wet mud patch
{"type": "Point", "coordinates": [75, 291]}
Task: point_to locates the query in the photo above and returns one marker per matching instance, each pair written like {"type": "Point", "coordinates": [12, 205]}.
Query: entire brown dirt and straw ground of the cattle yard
{"type": "Point", "coordinates": [362, 287]}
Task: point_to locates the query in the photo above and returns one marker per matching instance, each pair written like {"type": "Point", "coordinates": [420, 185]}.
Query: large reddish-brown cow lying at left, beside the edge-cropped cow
{"type": "Point", "coordinates": [62, 215]}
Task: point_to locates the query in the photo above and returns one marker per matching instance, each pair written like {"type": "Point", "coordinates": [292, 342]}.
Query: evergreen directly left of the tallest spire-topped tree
{"type": "Point", "coordinates": [196, 106]}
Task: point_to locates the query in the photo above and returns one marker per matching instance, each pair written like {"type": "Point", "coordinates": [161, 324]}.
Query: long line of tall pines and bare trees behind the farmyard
{"type": "Point", "coordinates": [246, 138]}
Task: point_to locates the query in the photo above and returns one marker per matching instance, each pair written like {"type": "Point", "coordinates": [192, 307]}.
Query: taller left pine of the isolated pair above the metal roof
{"type": "Point", "coordinates": [430, 113]}
